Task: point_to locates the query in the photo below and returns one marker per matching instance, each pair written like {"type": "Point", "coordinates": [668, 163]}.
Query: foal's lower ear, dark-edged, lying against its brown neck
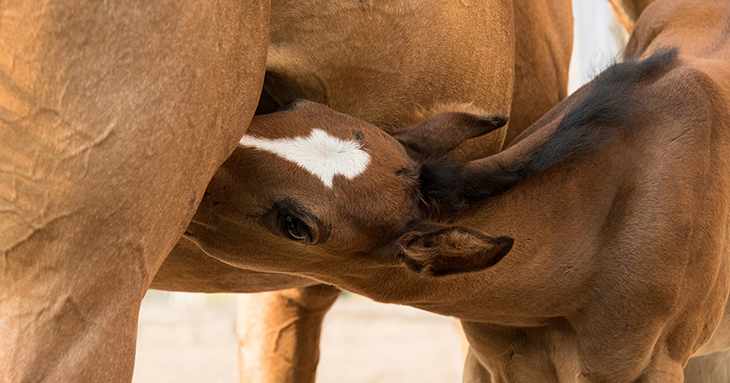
{"type": "Point", "coordinates": [452, 250]}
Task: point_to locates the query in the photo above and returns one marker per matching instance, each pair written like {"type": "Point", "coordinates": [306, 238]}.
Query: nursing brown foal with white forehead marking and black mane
{"type": "Point", "coordinates": [594, 249]}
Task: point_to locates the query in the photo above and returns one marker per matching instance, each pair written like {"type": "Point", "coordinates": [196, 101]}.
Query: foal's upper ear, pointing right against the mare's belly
{"type": "Point", "coordinates": [439, 135]}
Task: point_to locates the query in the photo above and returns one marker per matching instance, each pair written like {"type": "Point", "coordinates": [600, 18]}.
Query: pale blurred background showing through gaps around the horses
{"type": "Point", "coordinates": [191, 337]}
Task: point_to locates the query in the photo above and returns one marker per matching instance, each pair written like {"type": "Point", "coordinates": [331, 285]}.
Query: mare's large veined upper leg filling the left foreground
{"type": "Point", "coordinates": [113, 117]}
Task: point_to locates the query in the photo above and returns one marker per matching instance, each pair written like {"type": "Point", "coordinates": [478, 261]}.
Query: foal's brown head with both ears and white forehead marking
{"type": "Point", "coordinates": [309, 186]}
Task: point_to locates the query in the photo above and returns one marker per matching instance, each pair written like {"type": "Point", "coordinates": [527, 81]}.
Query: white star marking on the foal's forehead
{"type": "Point", "coordinates": [321, 154]}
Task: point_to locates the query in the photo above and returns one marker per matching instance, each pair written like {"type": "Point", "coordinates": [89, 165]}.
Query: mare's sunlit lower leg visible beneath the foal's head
{"type": "Point", "coordinates": [278, 333]}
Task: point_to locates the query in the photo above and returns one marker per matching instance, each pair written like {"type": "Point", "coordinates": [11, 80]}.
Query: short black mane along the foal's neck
{"type": "Point", "coordinates": [610, 103]}
